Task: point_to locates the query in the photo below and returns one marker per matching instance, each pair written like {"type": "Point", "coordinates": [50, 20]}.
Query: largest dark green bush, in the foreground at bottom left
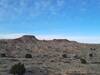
{"type": "Point", "coordinates": [18, 69]}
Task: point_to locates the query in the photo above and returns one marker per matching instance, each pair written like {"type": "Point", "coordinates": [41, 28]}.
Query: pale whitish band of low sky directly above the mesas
{"type": "Point", "coordinates": [81, 39]}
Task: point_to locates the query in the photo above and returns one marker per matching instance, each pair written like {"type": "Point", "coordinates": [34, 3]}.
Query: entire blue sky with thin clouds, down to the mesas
{"type": "Point", "coordinates": [47, 19]}
